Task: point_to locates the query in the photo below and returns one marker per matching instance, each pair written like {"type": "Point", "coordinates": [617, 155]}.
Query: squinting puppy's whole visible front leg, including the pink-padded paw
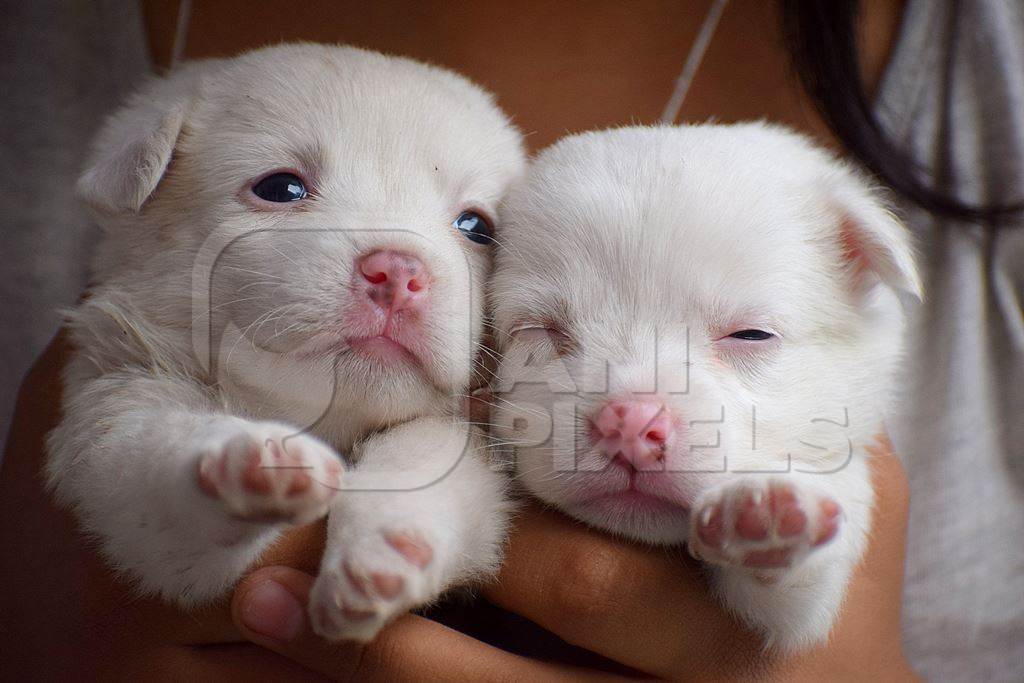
{"type": "Point", "coordinates": [784, 548]}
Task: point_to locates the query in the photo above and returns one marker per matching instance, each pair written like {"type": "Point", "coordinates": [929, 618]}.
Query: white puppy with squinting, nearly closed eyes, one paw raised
{"type": "Point", "coordinates": [700, 328]}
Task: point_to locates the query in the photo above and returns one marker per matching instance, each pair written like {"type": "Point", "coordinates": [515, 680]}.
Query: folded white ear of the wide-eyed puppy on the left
{"type": "Point", "coordinates": [134, 149]}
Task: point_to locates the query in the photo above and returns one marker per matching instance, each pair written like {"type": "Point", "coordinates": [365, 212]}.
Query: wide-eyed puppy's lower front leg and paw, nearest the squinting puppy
{"type": "Point", "coordinates": [443, 523]}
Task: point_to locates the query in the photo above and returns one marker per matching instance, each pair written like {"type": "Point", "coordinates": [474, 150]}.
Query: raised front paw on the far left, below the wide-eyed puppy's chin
{"type": "Point", "coordinates": [269, 473]}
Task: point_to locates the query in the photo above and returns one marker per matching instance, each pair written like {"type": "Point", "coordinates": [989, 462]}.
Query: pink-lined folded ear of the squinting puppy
{"type": "Point", "coordinates": [876, 245]}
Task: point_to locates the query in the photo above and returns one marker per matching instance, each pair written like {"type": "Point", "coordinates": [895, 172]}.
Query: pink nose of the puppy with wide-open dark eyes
{"type": "Point", "coordinates": [394, 281]}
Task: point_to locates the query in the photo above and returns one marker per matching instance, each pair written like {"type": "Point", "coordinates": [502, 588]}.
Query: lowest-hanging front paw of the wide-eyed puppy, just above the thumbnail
{"type": "Point", "coordinates": [371, 579]}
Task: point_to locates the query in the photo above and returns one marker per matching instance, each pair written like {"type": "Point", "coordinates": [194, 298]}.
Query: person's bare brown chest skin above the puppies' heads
{"type": "Point", "coordinates": [557, 67]}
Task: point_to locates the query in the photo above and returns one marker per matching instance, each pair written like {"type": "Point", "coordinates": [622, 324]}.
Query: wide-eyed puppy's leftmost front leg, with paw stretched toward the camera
{"type": "Point", "coordinates": [176, 490]}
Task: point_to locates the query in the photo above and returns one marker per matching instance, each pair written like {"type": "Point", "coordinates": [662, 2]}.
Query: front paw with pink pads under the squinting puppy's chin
{"type": "Point", "coordinates": [763, 525]}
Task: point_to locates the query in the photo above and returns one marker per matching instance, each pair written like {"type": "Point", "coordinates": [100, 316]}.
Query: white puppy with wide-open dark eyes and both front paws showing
{"type": "Point", "coordinates": [295, 245]}
